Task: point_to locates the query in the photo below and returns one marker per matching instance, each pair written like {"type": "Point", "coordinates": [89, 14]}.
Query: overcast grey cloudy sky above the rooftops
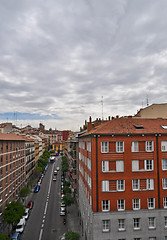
{"type": "Point", "coordinates": [62, 61]}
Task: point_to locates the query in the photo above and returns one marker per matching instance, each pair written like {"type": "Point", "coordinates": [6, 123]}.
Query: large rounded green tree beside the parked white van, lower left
{"type": "Point", "coordinates": [13, 212]}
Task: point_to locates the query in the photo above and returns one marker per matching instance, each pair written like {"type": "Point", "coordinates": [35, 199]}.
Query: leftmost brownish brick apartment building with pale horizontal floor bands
{"type": "Point", "coordinates": [12, 167]}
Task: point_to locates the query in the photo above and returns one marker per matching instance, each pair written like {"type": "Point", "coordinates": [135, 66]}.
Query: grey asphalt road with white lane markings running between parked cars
{"type": "Point", "coordinates": [45, 222]}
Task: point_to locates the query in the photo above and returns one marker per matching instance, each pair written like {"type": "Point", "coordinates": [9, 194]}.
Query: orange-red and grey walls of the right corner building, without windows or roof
{"type": "Point", "coordinates": [93, 195]}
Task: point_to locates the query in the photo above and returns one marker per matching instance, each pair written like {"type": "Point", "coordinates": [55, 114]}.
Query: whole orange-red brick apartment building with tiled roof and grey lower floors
{"type": "Point", "coordinates": [123, 180]}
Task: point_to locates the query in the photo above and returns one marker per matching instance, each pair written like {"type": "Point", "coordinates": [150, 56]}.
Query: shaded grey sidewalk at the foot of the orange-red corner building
{"type": "Point", "coordinates": [73, 221]}
